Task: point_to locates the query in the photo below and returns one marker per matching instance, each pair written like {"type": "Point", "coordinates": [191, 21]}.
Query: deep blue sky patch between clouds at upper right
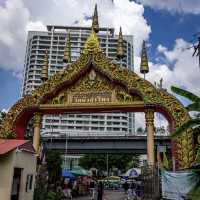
{"type": "Point", "coordinates": [167, 27]}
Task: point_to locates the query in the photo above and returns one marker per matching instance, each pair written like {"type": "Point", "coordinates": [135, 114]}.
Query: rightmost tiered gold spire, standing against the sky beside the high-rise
{"type": "Point", "coordinates": [144, 67]}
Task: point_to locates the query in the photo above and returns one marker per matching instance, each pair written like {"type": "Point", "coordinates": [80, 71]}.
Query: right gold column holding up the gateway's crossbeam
{"type": "Point", "coordinates": [149, 117]}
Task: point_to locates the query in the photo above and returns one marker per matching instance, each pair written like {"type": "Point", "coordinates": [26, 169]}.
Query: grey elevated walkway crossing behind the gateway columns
{"type": "Point", "coordinates": [103, 144]}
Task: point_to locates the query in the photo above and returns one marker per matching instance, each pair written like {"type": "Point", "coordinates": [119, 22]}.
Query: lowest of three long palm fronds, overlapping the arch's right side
{"type": "Point", "coordinates": [189, 124]}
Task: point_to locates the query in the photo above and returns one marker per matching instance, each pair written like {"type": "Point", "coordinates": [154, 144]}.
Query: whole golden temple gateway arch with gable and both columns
{"type": "Point", "coordinates": [95, 84]}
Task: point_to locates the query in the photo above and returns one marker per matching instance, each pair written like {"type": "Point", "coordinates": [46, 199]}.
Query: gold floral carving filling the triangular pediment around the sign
{"type": "Point", "coordinates": [99, 86]}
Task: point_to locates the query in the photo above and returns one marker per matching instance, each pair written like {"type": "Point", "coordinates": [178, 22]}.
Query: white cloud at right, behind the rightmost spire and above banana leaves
{"type": "Point", "coordinates": [179, 67]}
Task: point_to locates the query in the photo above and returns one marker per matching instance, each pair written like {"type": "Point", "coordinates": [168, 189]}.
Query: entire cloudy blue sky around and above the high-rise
{"type": "Point", "coordinates": [162, 28]}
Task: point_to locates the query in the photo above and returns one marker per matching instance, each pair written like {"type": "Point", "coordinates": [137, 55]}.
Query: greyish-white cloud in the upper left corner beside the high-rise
{"type": "Point", "coordinates": [13, 19]}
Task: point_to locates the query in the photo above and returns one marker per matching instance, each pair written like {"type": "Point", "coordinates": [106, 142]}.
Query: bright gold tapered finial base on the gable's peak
{"type": "Point", "coordinates": [92, 44]}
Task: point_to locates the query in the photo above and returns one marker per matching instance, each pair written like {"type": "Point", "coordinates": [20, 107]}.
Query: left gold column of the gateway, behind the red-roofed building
{"type": "Point", "coordinates": [36, 131]}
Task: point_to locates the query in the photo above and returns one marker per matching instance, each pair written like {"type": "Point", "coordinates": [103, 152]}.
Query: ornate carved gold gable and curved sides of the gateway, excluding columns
{"type": "Point", "coordinates": [94, 80]}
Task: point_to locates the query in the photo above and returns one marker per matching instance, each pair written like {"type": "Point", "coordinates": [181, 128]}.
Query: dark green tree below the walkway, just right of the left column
{"type": "Point", "coordinates": [54, 162]}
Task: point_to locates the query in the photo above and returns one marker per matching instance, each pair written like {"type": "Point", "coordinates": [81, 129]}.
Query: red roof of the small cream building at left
{"type": "Point", "coordinates": [7, 145]}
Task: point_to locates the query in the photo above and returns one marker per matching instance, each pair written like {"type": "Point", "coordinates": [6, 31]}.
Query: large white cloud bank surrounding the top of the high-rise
{"type": "Point", "coordinates": [19, 16]}
